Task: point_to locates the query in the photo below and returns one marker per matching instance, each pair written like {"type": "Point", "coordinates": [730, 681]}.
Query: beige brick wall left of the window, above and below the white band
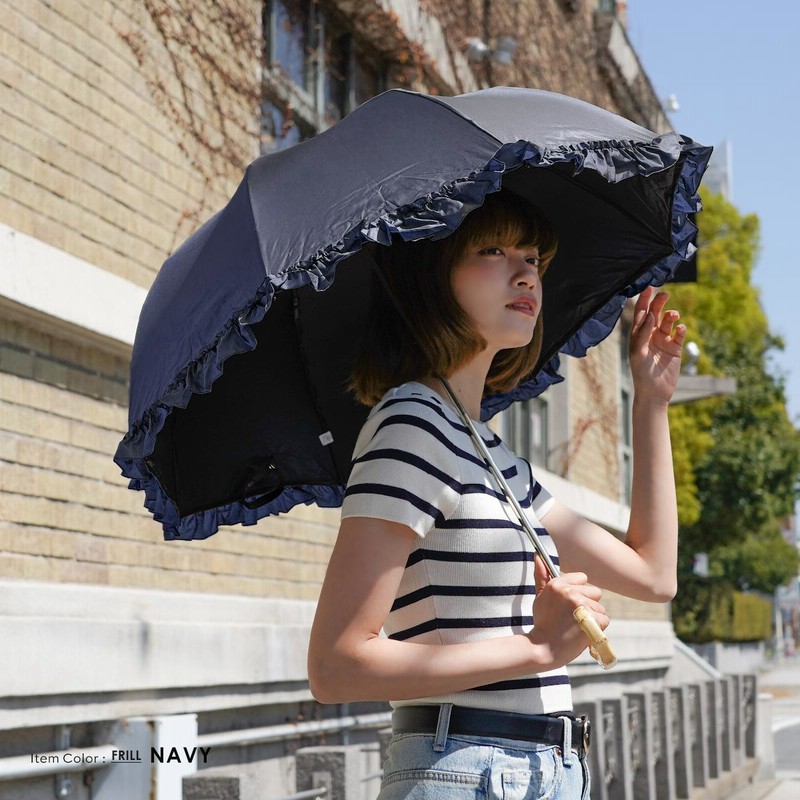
{"type": "Point", "coordinates": [100, 160]}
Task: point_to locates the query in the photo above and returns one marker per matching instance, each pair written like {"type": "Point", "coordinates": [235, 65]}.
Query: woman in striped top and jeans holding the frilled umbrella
{"type": "Point", "coordinates": [428, 552]}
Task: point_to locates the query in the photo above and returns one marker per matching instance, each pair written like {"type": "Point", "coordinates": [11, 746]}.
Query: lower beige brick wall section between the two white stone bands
{"type": "Point", "coordinates": [67, 516]}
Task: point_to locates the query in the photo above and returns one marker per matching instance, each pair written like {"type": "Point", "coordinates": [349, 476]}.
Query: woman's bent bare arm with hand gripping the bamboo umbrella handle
{"type": "Point", "coordinates": [348, 660]}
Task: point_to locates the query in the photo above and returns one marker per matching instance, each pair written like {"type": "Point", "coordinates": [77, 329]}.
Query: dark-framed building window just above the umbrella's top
{"type": "Point", "coordinates": [316, 72]}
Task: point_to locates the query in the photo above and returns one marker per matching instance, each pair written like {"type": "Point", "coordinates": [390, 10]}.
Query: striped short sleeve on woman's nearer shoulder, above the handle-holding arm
{"type": "Point", "coordinates": [405, 467]}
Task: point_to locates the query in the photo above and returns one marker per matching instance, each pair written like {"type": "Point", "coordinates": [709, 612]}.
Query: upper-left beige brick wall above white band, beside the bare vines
{"type": "Point", "coordinates": [92, 164]}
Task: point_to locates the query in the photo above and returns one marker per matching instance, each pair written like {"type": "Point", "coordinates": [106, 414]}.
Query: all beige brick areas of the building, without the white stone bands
{"type": "Point", "coordinates": [113, 153]}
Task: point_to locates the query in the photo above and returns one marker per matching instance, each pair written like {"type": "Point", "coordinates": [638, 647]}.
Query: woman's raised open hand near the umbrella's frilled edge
{"type": "Point", "coordinates": [654, 348]}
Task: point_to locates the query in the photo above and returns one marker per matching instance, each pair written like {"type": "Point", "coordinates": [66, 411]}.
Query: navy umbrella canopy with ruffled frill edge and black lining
{"type": "Point", "coordinates": [245, 343]}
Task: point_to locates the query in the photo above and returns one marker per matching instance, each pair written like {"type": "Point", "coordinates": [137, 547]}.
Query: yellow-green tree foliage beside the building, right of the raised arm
{"type": "Point", "coordinates": [737, 458]}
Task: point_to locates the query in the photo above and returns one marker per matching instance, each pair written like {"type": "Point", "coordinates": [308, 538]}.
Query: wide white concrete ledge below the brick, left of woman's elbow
{"type": "Point", "coordinates": [104, 639]}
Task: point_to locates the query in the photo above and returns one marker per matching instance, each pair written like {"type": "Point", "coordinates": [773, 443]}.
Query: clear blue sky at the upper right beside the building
{"type": "Point", "coordinates": [735, 68]}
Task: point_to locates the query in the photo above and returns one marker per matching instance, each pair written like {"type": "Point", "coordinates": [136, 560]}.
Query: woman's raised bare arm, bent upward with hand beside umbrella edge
{"type": "Point", "coordinates": [644, 565]}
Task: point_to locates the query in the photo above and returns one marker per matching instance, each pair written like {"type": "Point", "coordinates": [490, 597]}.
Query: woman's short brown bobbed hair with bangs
{"type": "Point", "coordinates": [444, 338]}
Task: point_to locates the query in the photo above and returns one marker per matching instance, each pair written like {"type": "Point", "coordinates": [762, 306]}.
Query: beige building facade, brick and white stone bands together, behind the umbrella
{"type": "Point", "coordinates": [126, 123]}
